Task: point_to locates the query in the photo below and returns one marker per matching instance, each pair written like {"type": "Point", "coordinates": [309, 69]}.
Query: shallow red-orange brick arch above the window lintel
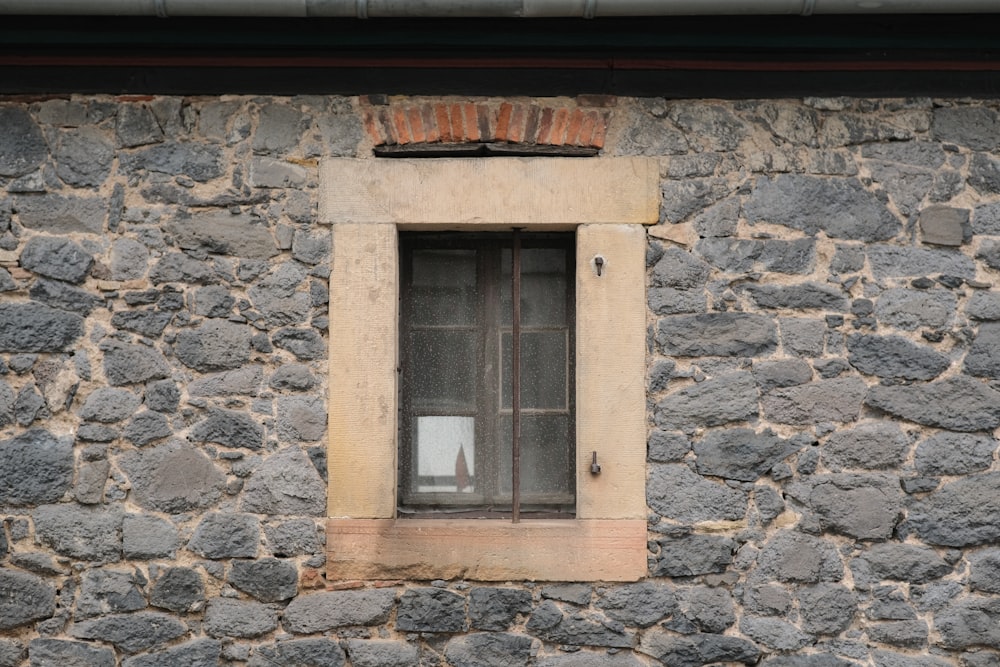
{"type": "Point", "coordinates": [524, 123]}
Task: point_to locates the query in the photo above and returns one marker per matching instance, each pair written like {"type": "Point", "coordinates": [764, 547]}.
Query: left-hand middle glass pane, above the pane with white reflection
{"type": "Point", "coordinates": [443, 371]}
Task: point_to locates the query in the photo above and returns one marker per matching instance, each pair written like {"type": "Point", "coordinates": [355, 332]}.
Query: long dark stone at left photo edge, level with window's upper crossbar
{"type": "Point", "coordinates": [33, 327]}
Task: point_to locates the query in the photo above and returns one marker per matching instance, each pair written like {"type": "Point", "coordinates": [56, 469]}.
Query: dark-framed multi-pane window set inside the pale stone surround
{"type": "Point", "coordinates": [456, 425]}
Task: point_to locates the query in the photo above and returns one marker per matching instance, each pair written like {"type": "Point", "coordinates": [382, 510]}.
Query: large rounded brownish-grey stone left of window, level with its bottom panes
{"type": "Point", "coordinates": [173, 477]}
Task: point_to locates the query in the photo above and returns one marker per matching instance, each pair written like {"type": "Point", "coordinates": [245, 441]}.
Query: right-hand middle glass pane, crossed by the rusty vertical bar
{"type": "Point", "coordinates": [543, 369]}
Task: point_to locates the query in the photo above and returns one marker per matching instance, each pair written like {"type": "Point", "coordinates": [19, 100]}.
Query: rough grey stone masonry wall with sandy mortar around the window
{"type": "Point", "coordinates": [824, 393]}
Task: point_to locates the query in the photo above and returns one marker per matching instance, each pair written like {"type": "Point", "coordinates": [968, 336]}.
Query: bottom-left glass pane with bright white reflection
{"type": "Point", "coordinates": [445, 455]}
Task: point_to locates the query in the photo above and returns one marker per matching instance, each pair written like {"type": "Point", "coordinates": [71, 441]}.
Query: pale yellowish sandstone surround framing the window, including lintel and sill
{"type": "Point", "coordinates": [606, 201]}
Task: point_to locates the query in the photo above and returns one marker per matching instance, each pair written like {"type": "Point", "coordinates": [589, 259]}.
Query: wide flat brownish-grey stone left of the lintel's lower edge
{"type": "Point", "coordinates": [224, 234]}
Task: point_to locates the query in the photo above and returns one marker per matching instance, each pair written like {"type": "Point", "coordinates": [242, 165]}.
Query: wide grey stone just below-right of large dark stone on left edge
{"type": "Point", "coordinates": [84, 533]}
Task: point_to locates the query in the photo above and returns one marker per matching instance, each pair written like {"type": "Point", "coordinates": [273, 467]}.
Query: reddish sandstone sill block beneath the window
{"type": "Point", "coordinates": [487, 549]}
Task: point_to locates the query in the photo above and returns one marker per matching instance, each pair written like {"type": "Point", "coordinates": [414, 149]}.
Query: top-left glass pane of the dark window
{"type": "Point", "coordinates": [443, 287]}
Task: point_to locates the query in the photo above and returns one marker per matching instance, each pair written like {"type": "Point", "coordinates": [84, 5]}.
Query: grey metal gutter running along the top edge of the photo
{"type": "Point", "coordinates": [488, 8]}
